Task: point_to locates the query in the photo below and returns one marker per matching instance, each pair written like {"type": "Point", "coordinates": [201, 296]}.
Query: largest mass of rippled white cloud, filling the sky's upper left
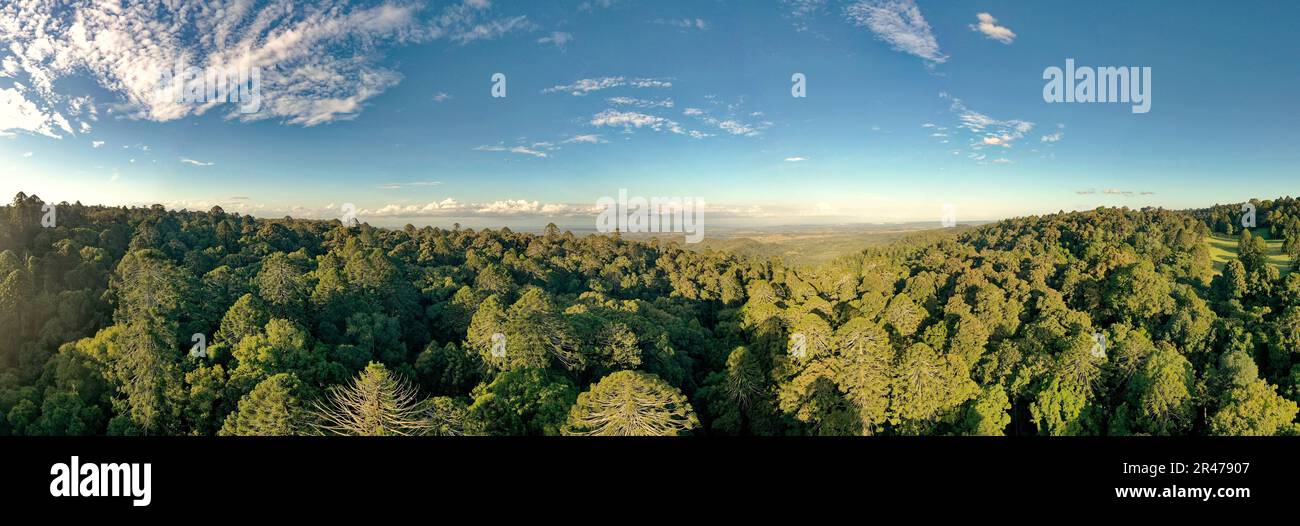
{"type": "Point", "coordinates": [320, 62]}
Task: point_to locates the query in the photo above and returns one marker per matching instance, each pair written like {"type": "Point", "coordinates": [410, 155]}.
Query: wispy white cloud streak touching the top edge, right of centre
{"type": "Point", "coordinates": [900, 24]}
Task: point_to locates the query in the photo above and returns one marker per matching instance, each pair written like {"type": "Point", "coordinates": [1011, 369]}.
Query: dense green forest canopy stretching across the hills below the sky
{"type": "Point", "coordinates": [142, 321]}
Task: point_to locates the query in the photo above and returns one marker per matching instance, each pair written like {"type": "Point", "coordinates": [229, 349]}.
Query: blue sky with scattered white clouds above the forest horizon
{"type": "Point", "coordinates": [911, 106]}
